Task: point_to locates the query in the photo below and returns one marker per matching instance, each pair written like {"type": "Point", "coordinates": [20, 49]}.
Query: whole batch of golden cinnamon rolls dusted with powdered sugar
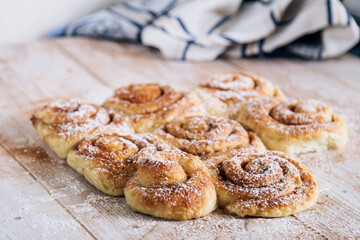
{"type": "Point", "coordinates": [228, 144]}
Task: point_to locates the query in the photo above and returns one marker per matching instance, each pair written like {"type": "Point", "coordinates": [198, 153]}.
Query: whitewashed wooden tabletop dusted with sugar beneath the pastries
{"type": "Point", "coordinates": [43, 198]}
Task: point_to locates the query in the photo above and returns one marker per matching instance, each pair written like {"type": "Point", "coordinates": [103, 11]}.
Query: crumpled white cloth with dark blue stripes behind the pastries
{"type": "Point", "coordinates": [201, 30]}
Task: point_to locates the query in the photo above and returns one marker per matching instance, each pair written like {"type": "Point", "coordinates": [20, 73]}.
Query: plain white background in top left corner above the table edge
{"type": "Point", "coordinates": [25, 20]}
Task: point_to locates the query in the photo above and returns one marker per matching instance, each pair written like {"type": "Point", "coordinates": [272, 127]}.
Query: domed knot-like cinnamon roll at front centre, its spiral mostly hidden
{"type": "Point", "coordinates": [171, 184]}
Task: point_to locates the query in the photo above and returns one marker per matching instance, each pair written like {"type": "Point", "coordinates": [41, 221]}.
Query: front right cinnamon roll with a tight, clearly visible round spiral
{"type": "Point", "coordinates": [264, 184]}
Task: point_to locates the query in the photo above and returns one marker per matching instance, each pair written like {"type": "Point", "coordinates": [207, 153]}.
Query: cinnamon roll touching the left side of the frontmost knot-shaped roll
{"type": "Point", "coordinates": [108, 161]}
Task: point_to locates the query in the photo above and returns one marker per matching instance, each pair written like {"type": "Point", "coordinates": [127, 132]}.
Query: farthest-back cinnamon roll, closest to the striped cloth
{"type": "Point", "coordinates": [225, 93]}
